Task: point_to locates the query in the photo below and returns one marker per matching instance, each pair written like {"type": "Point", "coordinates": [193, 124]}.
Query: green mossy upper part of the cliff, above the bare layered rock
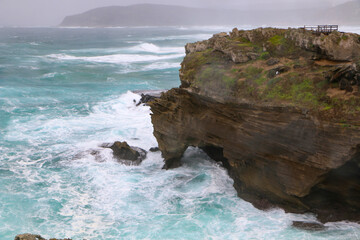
{"type": "Point", "coordinates": [279, 67]}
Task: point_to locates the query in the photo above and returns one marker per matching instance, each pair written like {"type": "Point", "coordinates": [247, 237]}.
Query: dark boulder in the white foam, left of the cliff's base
{"type": "Point", "coordinates": [126, 154]}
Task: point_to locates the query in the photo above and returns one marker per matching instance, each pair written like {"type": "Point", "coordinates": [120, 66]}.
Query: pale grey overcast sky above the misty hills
{"type": "Point", "coordinates": [51, 12]}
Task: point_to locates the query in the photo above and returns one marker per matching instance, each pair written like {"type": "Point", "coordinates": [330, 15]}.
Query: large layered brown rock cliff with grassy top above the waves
{"type": "Point", "coordinates": [280, 109]}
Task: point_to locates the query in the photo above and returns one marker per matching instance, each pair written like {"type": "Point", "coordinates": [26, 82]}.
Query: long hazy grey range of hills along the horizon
{"type": "Point", "coordinates": [165, 15]}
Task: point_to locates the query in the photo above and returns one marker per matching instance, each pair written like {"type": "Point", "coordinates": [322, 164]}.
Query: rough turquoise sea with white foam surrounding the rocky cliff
{"type": "Point", "coordinates": [65, 91]}
